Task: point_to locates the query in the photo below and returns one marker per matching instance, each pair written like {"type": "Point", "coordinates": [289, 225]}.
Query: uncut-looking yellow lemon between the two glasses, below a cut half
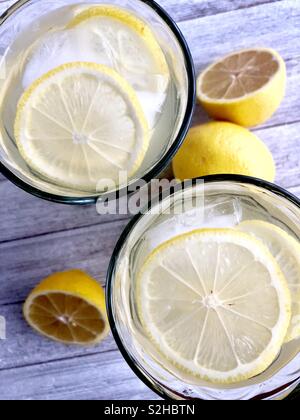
{"type": "Point", "coordinates": [223, 148]}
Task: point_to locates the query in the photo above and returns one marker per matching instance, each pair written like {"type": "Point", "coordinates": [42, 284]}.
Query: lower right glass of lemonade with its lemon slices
{"type": "Point", "coordinates": [192, 295]}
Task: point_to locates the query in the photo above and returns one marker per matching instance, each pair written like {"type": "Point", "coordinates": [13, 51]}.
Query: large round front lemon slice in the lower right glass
{"type": "Point", "coordinates": [215, 303]}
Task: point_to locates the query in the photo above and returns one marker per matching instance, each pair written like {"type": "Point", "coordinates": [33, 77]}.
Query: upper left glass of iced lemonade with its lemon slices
{"type": "Point", "coordinates": [94, 95]}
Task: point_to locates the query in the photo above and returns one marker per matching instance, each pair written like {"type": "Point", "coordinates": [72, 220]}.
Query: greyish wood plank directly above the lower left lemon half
{"type": "Point", "coordinates": [24, 263]}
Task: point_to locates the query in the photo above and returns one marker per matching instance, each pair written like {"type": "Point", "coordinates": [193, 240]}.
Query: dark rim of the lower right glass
{"type": "Point", "coordinates": [275, 189]}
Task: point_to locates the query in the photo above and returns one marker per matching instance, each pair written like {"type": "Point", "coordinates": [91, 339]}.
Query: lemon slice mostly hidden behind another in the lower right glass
{"type": "Point", "coordinates": [286, 251]}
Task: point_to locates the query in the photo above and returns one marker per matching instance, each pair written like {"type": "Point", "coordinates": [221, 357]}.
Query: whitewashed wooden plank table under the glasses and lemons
{"type": "Point", "coordinates": [38, 238]}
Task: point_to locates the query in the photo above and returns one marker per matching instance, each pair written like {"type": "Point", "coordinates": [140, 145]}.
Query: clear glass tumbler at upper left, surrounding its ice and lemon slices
{"type": "Point", "coordinates": [24, 23]}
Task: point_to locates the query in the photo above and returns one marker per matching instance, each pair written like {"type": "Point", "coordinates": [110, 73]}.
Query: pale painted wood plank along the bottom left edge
{"type": "Point", "coordinates": [104, 376]}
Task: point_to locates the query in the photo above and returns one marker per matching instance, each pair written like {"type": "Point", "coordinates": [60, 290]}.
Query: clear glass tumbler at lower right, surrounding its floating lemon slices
{"type": "Point", "coordinates": [216, 202]}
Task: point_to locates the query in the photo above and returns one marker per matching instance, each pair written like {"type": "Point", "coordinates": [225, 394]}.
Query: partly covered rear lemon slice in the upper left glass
{"type": "Point", "coordinates": [126, 43]}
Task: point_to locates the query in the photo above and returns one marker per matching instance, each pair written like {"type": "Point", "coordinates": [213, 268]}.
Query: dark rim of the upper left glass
{"type": "Point", "coordinates": [162, 163]}
